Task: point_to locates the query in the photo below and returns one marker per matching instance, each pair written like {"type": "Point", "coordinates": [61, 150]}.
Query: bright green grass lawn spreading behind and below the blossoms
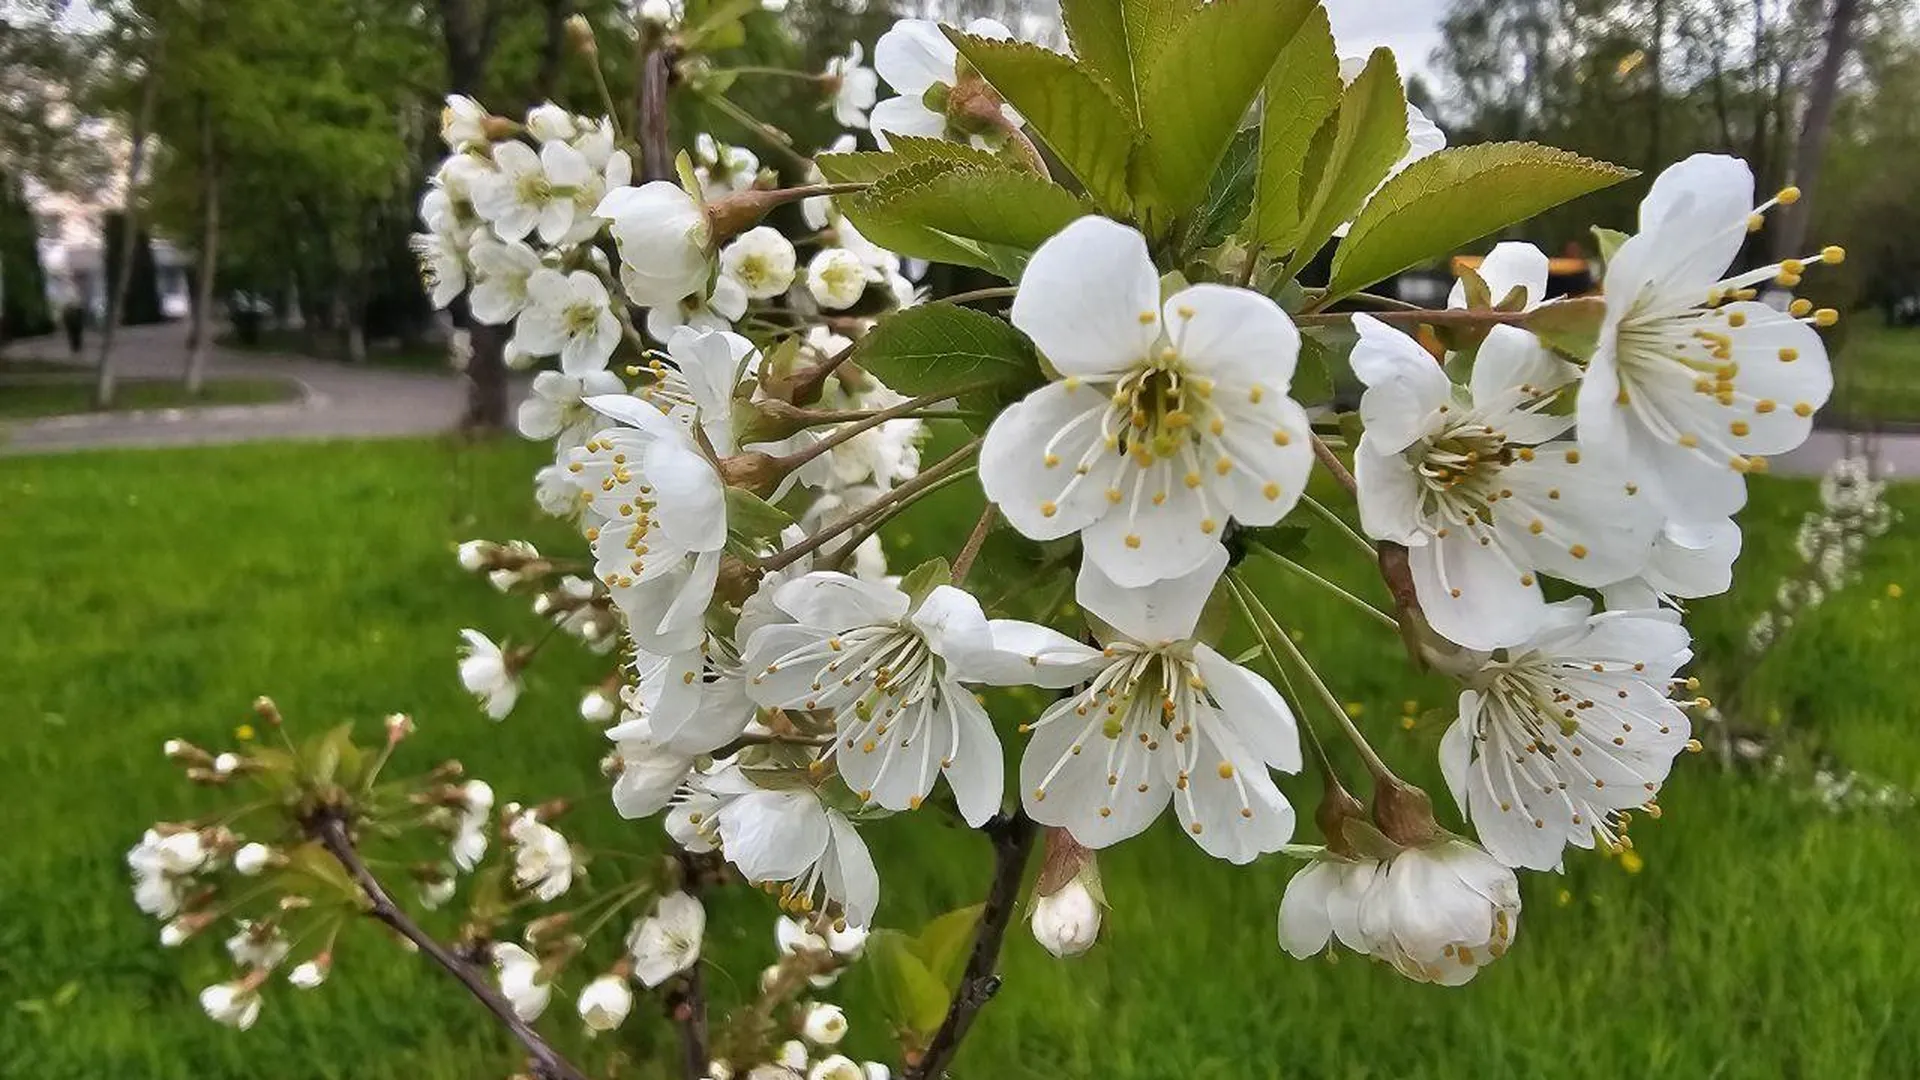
{"type": "Point", "coordinates": [155, 595]}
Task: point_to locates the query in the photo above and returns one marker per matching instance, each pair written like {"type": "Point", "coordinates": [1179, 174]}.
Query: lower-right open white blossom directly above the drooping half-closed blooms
{"type": "Point", "coordinates": [1566, 733]}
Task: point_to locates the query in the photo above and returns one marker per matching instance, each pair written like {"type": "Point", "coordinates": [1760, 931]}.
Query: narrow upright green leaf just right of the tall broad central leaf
{"type": "Point", "coordinates": [1303, 91]}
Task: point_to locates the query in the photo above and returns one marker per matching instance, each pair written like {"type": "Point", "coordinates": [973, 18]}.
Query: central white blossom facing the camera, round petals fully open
{"type": "Point", "coordinates": [1170, 420]}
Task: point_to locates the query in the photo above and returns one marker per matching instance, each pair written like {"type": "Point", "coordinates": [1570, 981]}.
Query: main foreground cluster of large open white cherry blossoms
{"type": "Point", "coordinates": [775, 704]}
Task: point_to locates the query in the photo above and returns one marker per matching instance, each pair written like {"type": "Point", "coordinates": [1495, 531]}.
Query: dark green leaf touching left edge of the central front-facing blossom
{"type": "Point", "coordinates": [942, 347]}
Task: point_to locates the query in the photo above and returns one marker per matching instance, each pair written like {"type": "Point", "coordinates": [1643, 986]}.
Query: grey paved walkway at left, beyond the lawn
{"type": "Point", "coordinates": [339, 401]}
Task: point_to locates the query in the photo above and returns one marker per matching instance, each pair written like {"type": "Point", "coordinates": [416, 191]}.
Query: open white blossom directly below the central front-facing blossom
{"type": "Point", "coordinates": [1163, 720]}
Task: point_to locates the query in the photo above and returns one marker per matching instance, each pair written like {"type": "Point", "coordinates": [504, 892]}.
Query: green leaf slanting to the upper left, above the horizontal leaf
{"type": "Point", "coordinates": [1072, 110]}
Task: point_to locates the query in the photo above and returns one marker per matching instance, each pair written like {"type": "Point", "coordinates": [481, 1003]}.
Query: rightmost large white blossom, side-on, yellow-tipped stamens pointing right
{"type": "Point", "coordinates": [1691, 381]}
